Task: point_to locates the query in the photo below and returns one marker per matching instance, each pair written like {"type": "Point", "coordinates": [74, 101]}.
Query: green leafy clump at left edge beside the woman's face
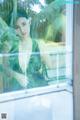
{"type": "Point", "coordinates": [7, 36]}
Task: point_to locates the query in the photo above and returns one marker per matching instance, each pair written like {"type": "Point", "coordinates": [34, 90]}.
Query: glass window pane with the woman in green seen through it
{"type": "Point", "coordinates": [32, 44]}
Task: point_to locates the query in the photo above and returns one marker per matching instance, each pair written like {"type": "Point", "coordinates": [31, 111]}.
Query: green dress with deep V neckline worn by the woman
{"type": "Point", "coordinates": [35, 71]}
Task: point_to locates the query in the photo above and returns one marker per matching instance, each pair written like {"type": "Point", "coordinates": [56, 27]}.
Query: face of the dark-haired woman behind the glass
{"type": "Point", "coordinates": [23, 27]}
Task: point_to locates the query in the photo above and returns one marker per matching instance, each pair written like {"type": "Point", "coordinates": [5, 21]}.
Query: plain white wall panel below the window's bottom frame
{"type": "Point", "coordinates": [51, 106]}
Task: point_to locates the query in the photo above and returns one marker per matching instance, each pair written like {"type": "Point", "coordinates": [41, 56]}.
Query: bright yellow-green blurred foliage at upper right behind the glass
{"type": "Point", "coordinates": [55, 29]}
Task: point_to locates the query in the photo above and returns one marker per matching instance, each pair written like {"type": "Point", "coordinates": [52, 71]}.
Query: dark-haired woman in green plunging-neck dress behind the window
{"type": "Point", "coordinates": [27, 61]}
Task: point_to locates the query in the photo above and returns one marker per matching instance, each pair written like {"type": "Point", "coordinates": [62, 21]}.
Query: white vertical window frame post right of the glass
{"type": "Point", "coordinates": [69, 40]}
